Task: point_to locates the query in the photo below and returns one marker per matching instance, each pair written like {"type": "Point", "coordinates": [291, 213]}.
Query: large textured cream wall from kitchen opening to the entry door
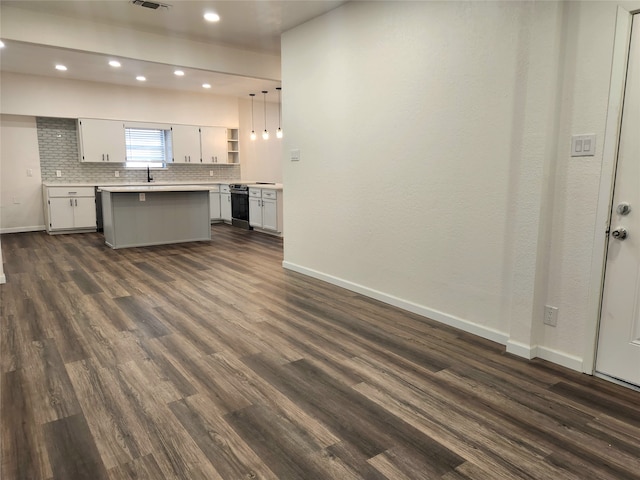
{"type": "Point", "coordinates": [434, 168]}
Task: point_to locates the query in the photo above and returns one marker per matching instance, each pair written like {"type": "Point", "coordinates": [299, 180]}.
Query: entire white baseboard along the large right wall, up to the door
{"type": "Point", "coordinates": [517, 348]}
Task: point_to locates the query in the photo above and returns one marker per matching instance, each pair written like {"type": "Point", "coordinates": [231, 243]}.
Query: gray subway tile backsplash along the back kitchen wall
{"type": "Point", "coordinates": [58, 146]}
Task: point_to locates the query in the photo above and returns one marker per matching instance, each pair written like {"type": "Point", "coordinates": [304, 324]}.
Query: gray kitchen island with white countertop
{"type": "Point", "coordinates": [139, 216]}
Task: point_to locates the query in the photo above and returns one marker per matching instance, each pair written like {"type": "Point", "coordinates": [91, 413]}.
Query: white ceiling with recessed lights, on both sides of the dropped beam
{"type": "Point", "coordinates": [246, 24]}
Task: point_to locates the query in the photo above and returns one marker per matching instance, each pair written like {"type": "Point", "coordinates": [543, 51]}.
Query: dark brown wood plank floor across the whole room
{"type": "Point", "coordinates": [209, 361]}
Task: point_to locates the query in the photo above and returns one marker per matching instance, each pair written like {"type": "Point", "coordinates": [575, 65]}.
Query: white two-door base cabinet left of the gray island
{"type": "Point", "coordinates": [70, 209]}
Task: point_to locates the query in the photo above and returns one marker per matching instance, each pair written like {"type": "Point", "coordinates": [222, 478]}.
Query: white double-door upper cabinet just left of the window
{"type": "Point", "coordinates": [101, 141]}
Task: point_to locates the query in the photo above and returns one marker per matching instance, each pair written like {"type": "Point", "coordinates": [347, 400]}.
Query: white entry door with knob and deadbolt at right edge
{"type": "Point", "coordinates": [619, 340]}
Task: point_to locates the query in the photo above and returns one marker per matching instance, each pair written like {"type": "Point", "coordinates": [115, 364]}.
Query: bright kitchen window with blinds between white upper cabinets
{"type": "Point", "coordinates": [147, 147]}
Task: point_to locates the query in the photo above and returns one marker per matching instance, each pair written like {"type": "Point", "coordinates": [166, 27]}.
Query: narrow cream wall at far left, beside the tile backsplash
{"type": "Point", "coordinates": [20, 194]}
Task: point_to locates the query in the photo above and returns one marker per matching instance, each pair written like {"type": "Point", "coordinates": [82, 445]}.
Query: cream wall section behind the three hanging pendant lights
{"type": "Point", "coordinates": [261, 160]}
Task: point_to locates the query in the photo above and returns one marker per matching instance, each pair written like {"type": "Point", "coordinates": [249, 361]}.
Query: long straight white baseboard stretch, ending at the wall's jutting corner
{"type": "Point", "coordinates": [441, 317]}
